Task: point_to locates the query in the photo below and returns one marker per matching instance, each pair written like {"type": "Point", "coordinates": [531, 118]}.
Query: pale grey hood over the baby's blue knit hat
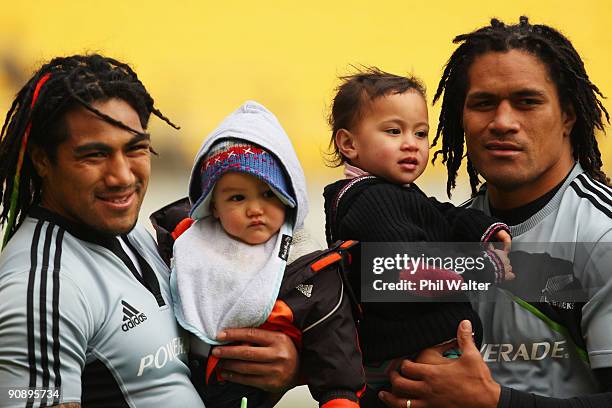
{"type": "Point", "coordinates": [253, 123]}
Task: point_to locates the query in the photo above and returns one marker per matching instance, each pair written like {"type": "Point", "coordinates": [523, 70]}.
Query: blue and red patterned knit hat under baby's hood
{"type": "Point", "coordinates": [235, 155]}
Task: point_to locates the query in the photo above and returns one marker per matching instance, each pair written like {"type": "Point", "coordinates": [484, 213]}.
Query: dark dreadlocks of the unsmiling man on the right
{"type": "Point", "coordinates": [565, 68]}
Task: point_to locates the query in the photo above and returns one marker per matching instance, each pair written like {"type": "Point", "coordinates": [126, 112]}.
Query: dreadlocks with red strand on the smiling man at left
{"type": "Point", "coordinates": [78, 80]}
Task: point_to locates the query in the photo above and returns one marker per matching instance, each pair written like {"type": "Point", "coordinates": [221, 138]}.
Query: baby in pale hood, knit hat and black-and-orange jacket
{"type": "Point", "coordinates": [246, 261]}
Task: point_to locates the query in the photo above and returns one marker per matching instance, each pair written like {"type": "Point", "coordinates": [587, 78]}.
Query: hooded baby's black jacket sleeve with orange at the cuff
{"type": "Point", "coordinates": [330, 357]}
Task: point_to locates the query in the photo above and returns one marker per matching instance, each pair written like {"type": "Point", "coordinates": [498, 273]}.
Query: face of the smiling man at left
{"type": "Point", "coordinates": [98, 176]}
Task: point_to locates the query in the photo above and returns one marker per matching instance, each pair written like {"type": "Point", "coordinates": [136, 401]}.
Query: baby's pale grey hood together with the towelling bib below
{"type": "Point", "coordinates": [211, 270]}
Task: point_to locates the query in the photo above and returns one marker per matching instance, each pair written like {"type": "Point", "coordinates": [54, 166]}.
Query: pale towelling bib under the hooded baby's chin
{"type": "Point", "coordinates": [218, 282]}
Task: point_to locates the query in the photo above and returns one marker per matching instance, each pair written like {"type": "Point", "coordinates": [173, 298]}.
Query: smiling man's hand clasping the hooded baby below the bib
{"type": "Point", "coordinates": [268, 361]}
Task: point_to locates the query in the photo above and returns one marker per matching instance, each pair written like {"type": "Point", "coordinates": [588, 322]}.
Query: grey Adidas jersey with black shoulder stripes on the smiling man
{"type": "Point", "coordinates": [103, 317]}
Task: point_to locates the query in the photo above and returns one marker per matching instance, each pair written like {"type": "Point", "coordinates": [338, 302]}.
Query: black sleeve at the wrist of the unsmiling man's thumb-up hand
{"type": "Point", "coordinates": [510, 398]}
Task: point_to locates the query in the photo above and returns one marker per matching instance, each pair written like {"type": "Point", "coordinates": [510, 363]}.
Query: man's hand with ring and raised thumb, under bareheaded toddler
{"type": "Point", "coordinates": [465, 382]}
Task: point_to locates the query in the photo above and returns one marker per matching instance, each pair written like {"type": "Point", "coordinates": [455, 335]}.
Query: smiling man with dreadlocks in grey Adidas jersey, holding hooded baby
{"type": "Point", "coordinates": [85, 314]}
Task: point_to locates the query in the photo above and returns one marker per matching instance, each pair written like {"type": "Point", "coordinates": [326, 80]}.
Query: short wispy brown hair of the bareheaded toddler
{"type": "Point", "coordinates": [354, 95]}
